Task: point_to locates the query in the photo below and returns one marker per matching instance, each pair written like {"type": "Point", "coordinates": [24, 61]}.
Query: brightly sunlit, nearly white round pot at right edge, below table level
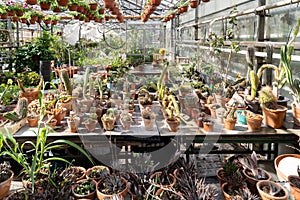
{"type": "Point", "coordinates": [292, 163]}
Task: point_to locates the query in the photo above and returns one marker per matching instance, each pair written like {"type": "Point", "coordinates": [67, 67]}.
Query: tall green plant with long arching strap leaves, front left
{"type": "Point", "coordinates": [35, 165]}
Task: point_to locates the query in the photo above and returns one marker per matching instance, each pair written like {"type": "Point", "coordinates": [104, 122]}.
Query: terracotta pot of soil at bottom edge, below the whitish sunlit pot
{"type": "Point", "coordinates": [266, 196]}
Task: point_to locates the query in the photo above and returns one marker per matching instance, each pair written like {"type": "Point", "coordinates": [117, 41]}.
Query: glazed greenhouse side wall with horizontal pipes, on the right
{"type": "Point", "coordinates": [195, 42]}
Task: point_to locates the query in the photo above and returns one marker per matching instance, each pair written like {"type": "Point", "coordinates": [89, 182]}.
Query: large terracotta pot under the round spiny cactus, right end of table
{"type": "Point", "coordinates": [274, 118]}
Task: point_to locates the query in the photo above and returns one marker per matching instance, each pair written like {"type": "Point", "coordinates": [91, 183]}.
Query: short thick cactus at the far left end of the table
{"type": "Point", "coordinates": [19, 112]}
